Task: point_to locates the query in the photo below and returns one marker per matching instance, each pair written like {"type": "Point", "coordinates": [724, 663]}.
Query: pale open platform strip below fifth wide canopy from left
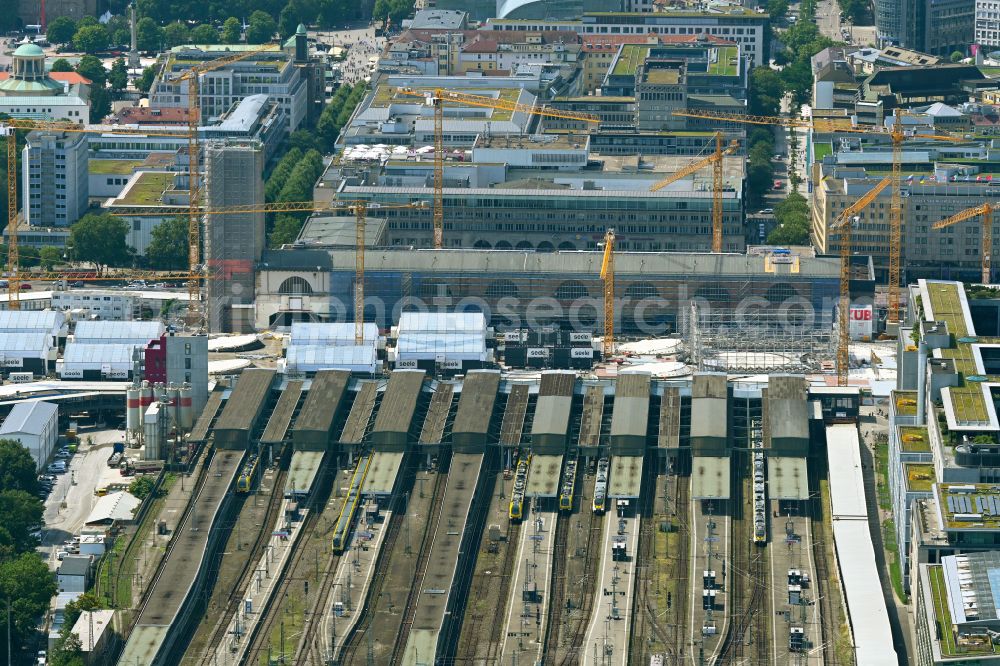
{"type": "Point", "coordinates": [527, 608]}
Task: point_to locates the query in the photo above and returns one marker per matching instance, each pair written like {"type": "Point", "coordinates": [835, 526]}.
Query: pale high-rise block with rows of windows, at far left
{"type": "Point", "coordinates": [56, 184]}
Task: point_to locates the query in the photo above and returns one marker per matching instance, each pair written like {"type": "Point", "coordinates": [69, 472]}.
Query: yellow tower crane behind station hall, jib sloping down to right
{"type": "Point", "coordinates": [437, 98]}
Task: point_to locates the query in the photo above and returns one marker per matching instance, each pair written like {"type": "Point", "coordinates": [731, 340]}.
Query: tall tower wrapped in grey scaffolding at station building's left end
{"type": "Point", "coordinates": [233, 242]}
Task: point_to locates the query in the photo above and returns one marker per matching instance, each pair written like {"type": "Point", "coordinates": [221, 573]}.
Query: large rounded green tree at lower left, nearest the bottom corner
{"type": "Point", "coordinates": [26, 581]}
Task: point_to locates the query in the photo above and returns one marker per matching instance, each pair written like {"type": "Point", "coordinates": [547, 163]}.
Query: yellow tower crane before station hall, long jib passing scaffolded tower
{"type": "Point", "coordinates": [359, 208]}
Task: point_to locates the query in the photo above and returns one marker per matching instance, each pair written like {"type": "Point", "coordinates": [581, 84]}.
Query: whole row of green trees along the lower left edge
{"type": "Point", "coordinates": [25, 580]}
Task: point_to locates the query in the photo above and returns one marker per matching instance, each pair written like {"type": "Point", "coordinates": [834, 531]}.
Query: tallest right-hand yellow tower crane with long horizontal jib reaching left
{"type": "Point", "coordinates": [896, 134]}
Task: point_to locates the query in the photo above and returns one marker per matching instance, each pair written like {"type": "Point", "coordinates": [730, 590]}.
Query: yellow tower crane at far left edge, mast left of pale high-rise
{"type": "Point", "coordinates": [9, 128]}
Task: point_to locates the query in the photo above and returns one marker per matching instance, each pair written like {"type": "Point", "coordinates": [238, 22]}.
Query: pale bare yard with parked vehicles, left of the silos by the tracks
{"type": "Point", "coordinates": [72, 498]}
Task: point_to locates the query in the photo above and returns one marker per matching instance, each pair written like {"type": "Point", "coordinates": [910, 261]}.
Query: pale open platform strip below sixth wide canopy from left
{"type": "Point", "coordinates": [606, 643]}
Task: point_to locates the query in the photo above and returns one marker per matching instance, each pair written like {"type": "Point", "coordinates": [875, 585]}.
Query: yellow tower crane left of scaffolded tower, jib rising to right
{"type": "Point", "coordinates": [194, 187]}
